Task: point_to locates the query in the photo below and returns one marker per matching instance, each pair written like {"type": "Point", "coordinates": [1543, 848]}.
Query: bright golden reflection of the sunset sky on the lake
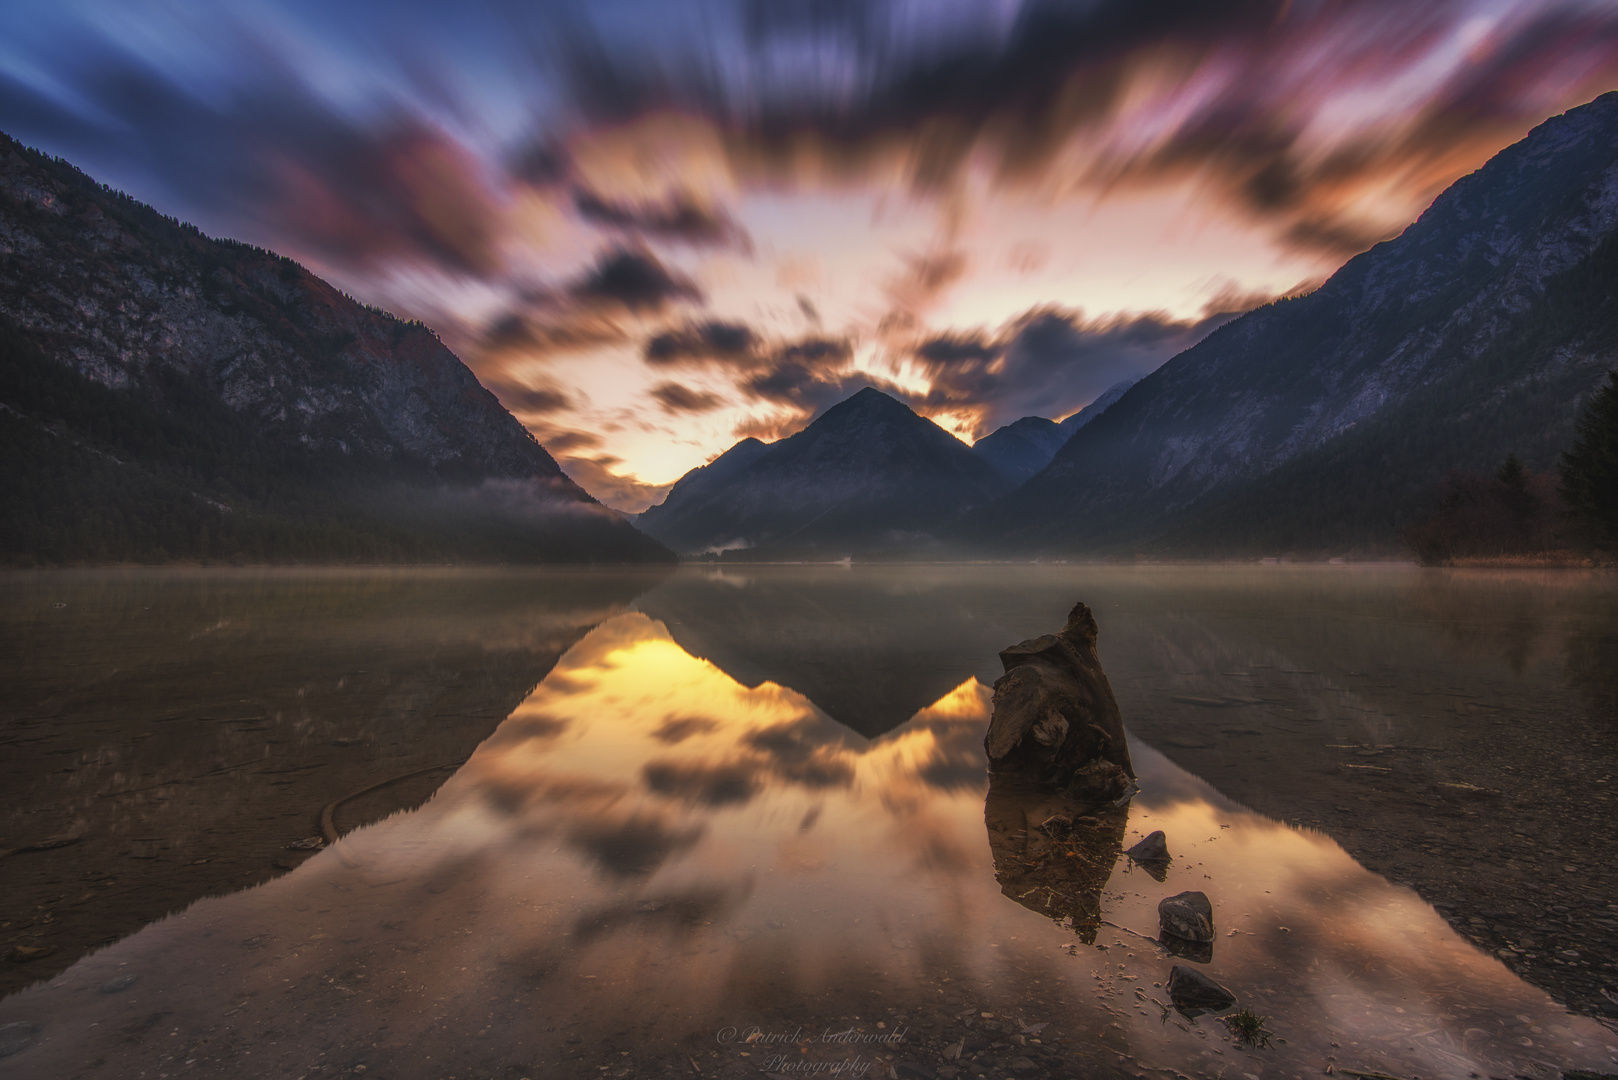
{"type": "Point", "coordinates": [650, 859]}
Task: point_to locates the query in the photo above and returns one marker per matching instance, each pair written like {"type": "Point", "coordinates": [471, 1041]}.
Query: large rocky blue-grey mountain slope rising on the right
{"type": "Point", "coordinates": [1324, 422]}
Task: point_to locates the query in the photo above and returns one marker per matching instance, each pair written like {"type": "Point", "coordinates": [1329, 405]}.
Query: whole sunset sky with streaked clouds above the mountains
{"type": "Point", "coordinates": [654, 227]}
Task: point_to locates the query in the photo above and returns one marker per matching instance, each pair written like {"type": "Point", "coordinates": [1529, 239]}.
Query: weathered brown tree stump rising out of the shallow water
{"type": "Point", "coordinates": [1056, 718]}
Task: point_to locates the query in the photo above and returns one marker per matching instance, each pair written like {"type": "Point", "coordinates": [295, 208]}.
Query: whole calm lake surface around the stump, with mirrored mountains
{"type": "Point", "coordinates": [726, 823]}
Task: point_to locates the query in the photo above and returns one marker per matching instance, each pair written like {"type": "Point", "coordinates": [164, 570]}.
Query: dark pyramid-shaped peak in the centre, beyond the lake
{"type": "Point", "coordinates": [866, 475]}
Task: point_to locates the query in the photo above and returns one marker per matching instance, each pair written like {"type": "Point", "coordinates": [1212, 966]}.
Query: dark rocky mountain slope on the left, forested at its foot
{"type": "Point", "coordinates": [167, 396]}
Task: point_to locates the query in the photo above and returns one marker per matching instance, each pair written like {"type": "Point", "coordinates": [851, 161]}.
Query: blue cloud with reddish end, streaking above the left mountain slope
{"type": "Point", "coordinates": [273, 163]}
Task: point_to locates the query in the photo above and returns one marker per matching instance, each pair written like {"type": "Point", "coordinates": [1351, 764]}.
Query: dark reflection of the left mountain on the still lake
{"type": "Point", "coordinates": [179, 729]}
